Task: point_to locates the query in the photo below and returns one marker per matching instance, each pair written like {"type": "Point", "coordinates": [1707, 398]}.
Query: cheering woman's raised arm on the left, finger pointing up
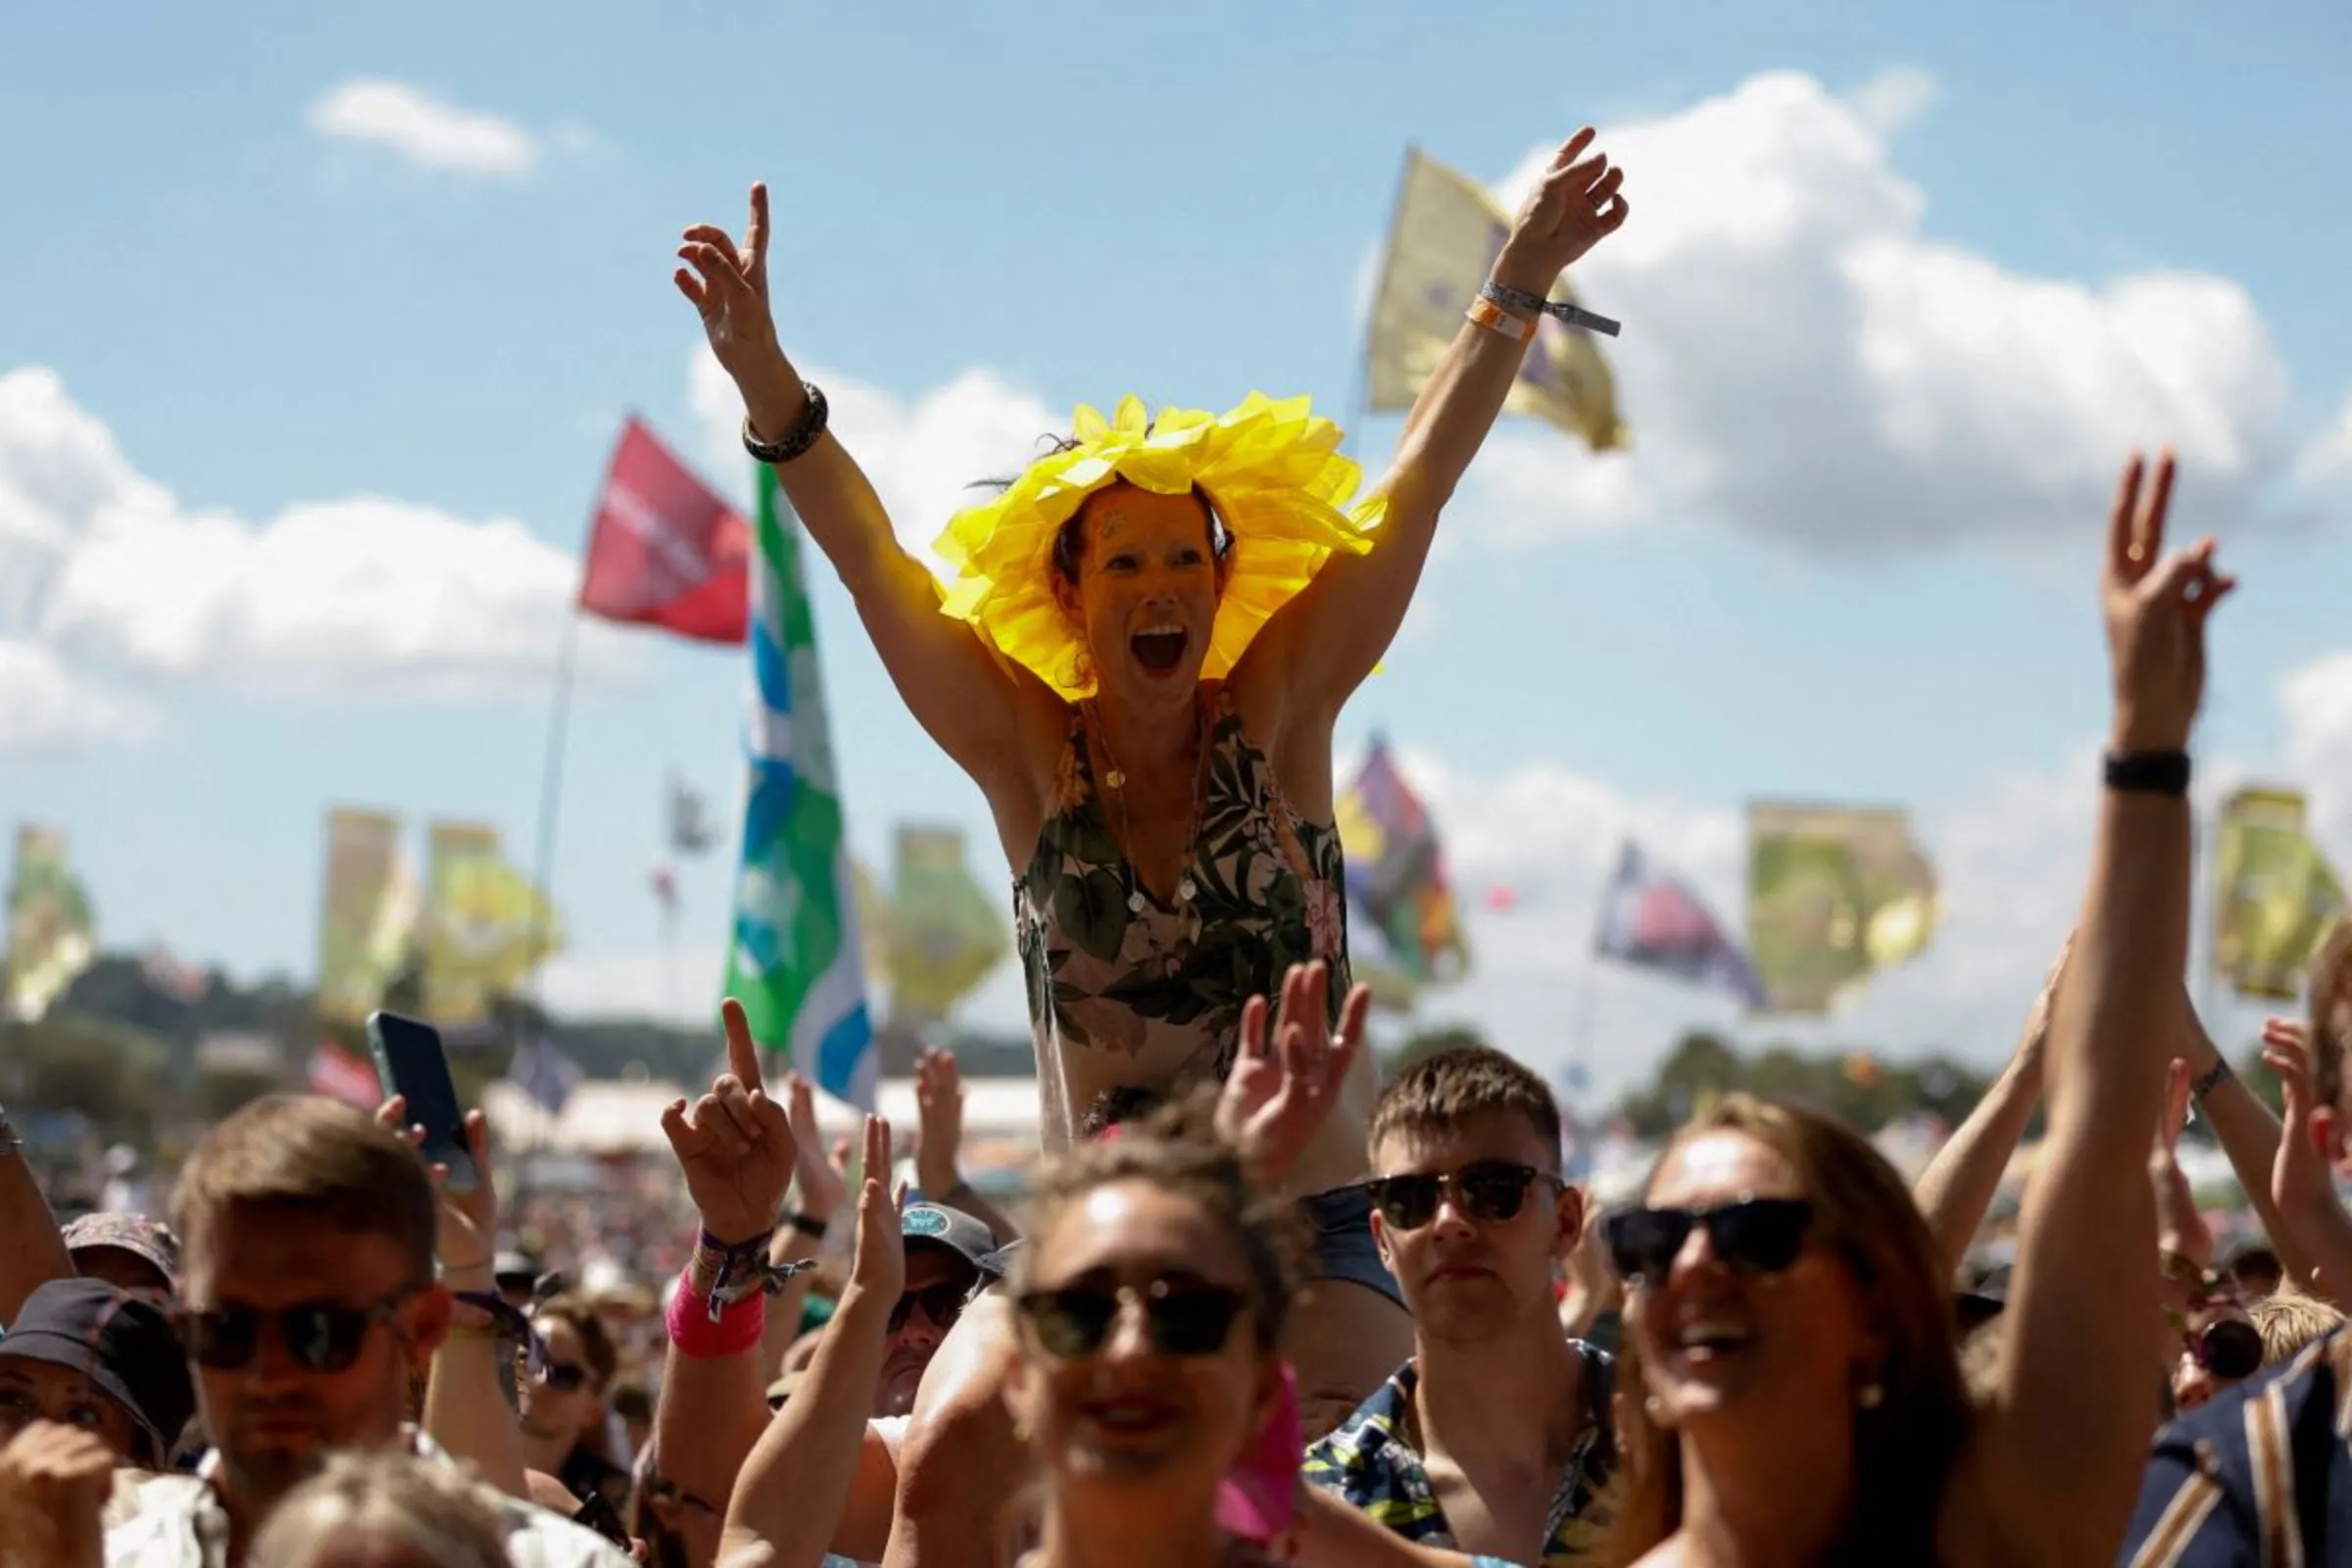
{"type": "Point", "coordinates": [956, 685]}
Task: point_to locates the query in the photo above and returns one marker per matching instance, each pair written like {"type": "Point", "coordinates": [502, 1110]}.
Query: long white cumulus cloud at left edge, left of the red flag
{"type": "Point", "coordinates": [105, 575]}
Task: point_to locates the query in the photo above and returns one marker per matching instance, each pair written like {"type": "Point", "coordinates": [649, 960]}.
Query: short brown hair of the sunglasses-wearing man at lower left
{"type": "Point", "coordinates": [302, 1155]}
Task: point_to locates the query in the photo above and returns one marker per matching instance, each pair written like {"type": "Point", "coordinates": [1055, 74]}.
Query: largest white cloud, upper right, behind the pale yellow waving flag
{"type": "Point", "coordinates": [1800, 361]}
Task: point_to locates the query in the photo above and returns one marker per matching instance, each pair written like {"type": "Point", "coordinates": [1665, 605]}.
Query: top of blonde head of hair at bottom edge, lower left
{"type": "Point", "coordinates": [392, 1499]}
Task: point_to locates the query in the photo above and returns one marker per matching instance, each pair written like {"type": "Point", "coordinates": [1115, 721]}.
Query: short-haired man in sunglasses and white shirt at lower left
{"type": "Point", "coordinates": [309, 1304]}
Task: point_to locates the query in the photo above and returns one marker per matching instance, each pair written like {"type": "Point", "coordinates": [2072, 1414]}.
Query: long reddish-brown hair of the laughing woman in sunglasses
{"type": "Point", "coordinates": [1906, 1445]}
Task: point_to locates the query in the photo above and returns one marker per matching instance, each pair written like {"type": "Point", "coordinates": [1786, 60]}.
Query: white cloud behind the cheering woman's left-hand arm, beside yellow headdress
{"type": "Point", "coordinates": [923, 455]}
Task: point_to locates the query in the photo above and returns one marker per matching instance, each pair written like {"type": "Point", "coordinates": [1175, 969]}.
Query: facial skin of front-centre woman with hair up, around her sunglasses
{"type": "Point", "coordinates": [1137, 1440]}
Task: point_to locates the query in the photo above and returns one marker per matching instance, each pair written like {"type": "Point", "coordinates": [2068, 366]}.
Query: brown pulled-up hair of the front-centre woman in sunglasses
{"type": "Point", "coordinates": [1182, 1153]}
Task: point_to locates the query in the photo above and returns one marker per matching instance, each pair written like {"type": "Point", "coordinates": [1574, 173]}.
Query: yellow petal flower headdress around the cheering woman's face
{"type": "Point", "coordinates": [1271, 469]}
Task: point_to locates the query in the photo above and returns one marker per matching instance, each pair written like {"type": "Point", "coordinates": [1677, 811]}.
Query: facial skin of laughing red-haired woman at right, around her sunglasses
{"type": "Point", "coordinates": [1793, 1343]}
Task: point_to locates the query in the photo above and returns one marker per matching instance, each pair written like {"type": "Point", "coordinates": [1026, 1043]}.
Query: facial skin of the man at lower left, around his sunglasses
{"type": "Point", "coordinates": [272, 1421]}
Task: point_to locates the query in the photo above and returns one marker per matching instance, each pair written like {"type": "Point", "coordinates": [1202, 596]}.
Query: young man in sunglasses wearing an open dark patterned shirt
{"type": "Point", "coordinates": [1495, 1438]}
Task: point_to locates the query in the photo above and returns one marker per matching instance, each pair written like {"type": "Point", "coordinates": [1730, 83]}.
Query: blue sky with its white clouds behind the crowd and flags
{"type": "Point", "coordinates": [258, 370]}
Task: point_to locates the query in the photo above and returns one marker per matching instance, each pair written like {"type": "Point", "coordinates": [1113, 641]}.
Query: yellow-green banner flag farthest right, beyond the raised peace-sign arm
{"type": "Point", "coordinates": [2273, 894]}
